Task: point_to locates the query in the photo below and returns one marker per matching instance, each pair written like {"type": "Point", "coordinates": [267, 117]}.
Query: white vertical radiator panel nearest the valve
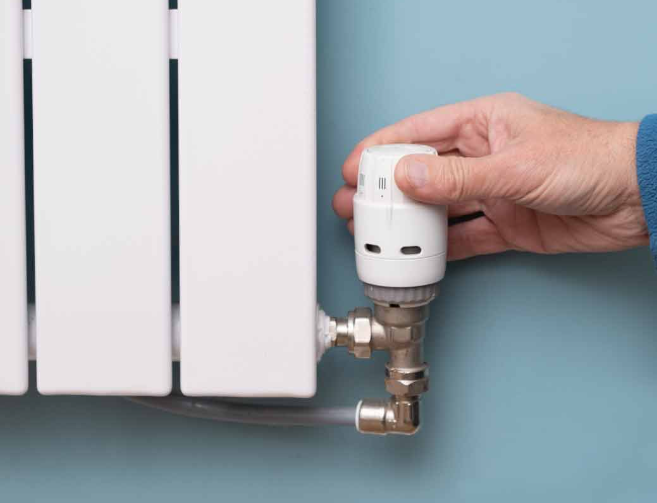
{"type": "Point", "coordinates": [247, 197]}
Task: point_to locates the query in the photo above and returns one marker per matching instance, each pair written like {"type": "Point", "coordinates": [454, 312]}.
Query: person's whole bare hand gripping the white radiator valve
{"type": "Point", "coordinates": [546, 181]}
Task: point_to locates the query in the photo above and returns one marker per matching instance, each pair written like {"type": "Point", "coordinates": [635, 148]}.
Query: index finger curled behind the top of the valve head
{"type": "Point", "coordinates": [440, 127]}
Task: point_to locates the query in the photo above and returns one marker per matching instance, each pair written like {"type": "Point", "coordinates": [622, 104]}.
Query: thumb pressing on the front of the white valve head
{"type": "Point", "coordinates": [446, 180]}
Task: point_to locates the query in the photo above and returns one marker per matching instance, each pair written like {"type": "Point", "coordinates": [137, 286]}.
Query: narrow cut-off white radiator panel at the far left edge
{"type": "Point", "coordinates": [13, 297]}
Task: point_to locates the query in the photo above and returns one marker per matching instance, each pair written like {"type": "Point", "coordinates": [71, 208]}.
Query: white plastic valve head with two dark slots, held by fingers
{"type": "Point", "coordinates": [400, 243]}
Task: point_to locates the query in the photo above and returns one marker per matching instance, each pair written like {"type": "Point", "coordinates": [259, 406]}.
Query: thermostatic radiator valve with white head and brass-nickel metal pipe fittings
{"type": "Point", "coordinates": [401, 249]}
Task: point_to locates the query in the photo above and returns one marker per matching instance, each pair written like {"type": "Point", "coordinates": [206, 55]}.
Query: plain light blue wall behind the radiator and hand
{"type": "Point", "coordinates": [544, 369]}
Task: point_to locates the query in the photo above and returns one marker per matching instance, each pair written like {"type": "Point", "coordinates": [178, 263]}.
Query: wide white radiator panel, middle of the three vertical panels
{"type": "Point", "coordinates": [102, 214]}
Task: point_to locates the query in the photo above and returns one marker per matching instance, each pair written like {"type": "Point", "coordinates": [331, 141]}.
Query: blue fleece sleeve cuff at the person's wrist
{"type": "Point", "coordinates": [646, 166]}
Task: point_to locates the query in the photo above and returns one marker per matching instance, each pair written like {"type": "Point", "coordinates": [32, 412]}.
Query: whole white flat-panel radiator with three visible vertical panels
{"type": "Point", "coordinates": [102, 196]}
